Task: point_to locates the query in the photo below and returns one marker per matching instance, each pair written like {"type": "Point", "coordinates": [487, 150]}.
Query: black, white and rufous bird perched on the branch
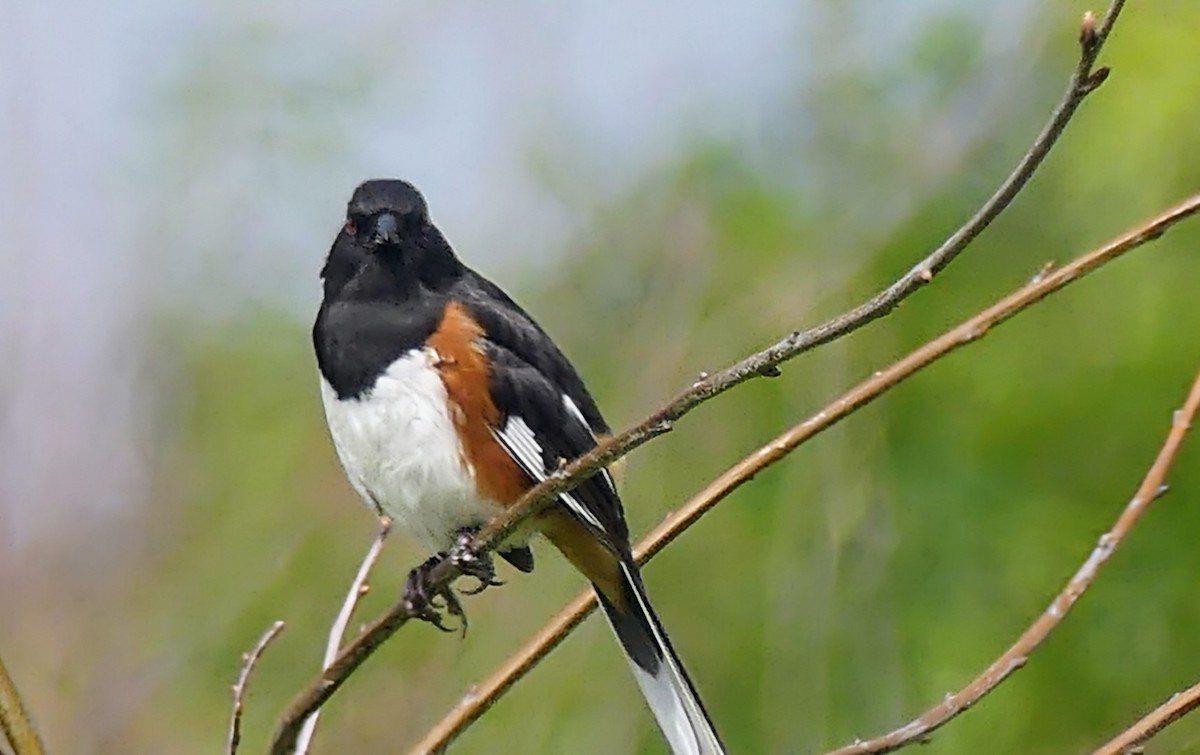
{"type": "Point", "coordinates": [447, 402]}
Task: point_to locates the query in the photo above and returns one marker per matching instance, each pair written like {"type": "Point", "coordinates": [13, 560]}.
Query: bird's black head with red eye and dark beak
{"type": "Point", "coordinates": [388, 244]}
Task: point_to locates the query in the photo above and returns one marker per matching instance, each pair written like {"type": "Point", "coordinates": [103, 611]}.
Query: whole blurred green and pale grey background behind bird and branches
{"type": "Point", "coordinates": [667, 188]}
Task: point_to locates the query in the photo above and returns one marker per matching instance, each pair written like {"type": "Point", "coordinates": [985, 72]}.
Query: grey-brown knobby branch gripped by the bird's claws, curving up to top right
{"type": "Point", "coordinates": [1084, 81]}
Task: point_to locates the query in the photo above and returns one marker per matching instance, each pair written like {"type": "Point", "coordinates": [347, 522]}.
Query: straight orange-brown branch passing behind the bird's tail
{"type": "Point", "coordinates": [550, 637]}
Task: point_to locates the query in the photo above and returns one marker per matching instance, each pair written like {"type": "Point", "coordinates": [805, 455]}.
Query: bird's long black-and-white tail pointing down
{"type": "Point", "coordinates": [658, 670]}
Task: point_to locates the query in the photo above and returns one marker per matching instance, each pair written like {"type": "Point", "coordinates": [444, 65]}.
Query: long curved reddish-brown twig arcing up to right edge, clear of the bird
{"type": "Point", "coordinates": [1016, 657]}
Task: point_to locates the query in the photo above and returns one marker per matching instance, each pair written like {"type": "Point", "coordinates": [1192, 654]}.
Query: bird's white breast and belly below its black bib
{"type": "Point", "coordinates": [401, 452]}
